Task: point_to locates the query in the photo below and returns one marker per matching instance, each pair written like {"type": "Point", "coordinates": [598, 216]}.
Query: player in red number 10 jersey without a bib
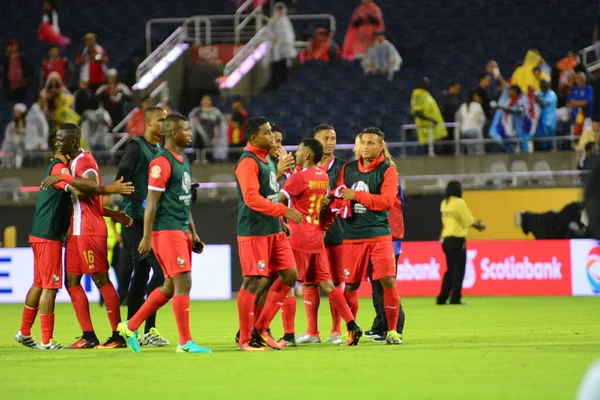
{"type": "Point", "coordinates": [305, 191]}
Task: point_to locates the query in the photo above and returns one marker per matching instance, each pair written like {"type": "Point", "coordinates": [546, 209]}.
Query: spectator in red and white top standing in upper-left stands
{"type": "Point", "coordinates": [92, 60]}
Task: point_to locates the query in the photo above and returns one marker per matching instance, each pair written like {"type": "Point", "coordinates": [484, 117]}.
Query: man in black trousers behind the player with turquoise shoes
{"type": "Point", "coordinates": [134, 167]}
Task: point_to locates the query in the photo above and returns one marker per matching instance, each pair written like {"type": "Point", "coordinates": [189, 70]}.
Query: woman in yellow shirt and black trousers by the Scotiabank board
{"type": "Point", "coordinates": [456, 221]}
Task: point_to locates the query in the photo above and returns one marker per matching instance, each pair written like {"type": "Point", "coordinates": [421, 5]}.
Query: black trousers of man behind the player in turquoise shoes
{"type": "Point", "coordinates": [140, 286]}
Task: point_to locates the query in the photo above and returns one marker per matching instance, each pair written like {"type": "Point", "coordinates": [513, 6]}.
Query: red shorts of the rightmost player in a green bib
{"type": "Point", "coordinates": [379, 253]}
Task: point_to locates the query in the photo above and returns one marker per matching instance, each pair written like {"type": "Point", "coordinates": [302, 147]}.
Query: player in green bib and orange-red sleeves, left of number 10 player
{"type": "Point", "coordinates": [263, 247]}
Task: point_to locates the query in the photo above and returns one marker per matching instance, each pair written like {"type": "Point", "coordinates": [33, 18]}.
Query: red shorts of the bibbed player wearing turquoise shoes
{"type": "Point", "coordinates": [173, 250]}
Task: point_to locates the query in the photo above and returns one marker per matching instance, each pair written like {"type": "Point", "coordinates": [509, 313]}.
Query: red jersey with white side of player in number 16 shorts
{"type": "Point", "coordinates": [88, 212]}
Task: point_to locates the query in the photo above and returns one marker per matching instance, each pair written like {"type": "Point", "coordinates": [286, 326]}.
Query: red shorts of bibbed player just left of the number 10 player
{"type": "Point", "coordinates": [264, 255]}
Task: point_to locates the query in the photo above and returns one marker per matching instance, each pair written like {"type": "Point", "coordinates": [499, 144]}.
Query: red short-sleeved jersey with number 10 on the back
{"type": "Point", "coordinates": [305, 191]}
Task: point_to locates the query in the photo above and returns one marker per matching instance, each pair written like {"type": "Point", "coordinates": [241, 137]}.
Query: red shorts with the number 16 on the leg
{"type": "Point", "coordinates": [86, 255]}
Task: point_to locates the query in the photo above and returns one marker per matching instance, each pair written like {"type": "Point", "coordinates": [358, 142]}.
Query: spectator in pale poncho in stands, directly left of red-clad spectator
{"type": "Point", "coordinates": [206, 122]}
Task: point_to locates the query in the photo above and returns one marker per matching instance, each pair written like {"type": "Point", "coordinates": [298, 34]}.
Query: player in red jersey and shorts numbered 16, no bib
{"type": "Point", "coordinates": [86, 249]}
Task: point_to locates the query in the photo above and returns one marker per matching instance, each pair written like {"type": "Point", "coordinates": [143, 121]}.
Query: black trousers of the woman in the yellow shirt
{"type": "Point", "coordinates": [455, 249]}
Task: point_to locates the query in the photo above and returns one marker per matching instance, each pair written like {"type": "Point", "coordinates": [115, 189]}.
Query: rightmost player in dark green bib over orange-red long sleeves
{"type": "Point", "coordinates": [371, 184]}
